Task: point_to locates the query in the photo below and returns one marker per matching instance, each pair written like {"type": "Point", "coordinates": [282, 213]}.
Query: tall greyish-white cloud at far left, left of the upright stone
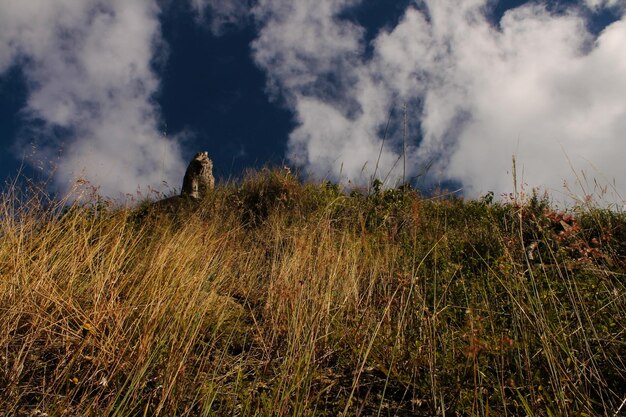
{"type": "Point", "coordinates": [87, 65]}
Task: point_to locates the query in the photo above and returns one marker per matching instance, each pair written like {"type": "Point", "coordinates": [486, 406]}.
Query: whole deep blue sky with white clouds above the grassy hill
{"type": "Point", "coordinates": [439, 93]}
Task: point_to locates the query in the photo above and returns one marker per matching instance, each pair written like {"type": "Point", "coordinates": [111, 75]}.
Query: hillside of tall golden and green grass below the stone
{"type": "Point", "coordinates": [277, 298]}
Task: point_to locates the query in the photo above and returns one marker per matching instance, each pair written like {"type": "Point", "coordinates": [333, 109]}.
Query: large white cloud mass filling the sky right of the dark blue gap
{"type": "Point", "coordinates": [536, 85]}
